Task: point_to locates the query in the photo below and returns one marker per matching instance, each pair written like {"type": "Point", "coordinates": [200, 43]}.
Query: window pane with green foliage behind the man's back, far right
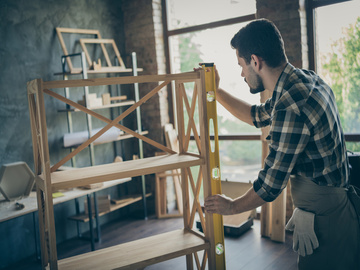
{"type": "Point", "coordinates": [338, 59]}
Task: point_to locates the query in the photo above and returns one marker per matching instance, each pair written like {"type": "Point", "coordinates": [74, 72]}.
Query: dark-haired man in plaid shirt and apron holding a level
{"type": "Point", "coordinates": [306, 146]}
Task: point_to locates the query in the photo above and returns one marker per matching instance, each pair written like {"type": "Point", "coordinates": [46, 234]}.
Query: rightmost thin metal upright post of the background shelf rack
{"type": "Point", "coordinates": [138, 120]}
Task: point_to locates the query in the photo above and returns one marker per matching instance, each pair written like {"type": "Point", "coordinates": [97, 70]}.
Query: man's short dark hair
{"type": "Point", "coordinates": [262, 38]}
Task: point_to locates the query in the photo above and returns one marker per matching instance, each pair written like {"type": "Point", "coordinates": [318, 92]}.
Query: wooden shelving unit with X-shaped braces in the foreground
{"type": "Point", "coordinates": [137, 254]}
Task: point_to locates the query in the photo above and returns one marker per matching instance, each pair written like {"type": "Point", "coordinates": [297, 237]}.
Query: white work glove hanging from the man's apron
{"type": "Point", "coordinates": [304, 238]}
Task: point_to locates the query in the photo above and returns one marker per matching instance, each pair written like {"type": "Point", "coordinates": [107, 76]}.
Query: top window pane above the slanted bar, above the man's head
{"type": "Point", "coordinates": [184, 13]}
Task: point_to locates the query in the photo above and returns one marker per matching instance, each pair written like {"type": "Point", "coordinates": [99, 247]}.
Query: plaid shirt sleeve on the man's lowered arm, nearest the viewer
{"type": "Point", "coordinates": [287, 139]}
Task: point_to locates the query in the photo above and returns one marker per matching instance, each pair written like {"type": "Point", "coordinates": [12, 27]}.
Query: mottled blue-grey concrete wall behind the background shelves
{"type": "Point", "coordinates": [29, 49]}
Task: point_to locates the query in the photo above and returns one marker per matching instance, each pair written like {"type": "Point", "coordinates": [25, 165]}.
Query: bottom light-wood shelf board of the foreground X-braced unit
{"type": "Point", "coordinates": [139, 253]}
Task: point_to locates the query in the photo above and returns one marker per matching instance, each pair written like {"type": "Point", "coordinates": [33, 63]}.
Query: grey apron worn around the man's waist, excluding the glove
{"type": "Point", "coordinates": [336, 225]}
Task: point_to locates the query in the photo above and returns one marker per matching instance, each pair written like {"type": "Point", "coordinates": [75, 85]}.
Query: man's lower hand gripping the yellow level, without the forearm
{"type": "Point", "coordinates": [219, 204]}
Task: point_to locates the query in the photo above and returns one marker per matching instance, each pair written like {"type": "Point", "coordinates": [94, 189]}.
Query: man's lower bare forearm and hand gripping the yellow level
{"type": "Point", "coordinates": [220, 204]}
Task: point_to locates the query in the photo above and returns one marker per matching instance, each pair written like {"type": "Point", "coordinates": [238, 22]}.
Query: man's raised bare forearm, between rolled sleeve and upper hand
{"type": "Point", "coordinates": [237, 107]}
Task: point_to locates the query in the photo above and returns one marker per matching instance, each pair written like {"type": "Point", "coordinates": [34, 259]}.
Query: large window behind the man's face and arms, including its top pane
{"type": "Point", "coordinates": [202, 34]}
